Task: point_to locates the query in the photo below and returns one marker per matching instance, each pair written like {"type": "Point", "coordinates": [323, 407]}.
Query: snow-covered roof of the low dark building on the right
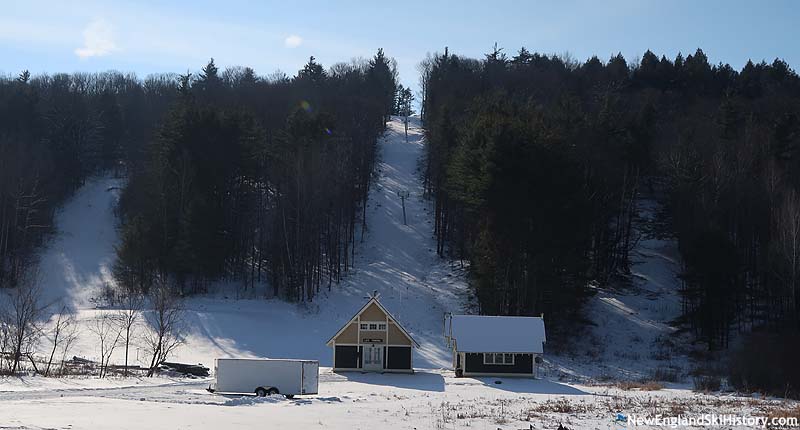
{"type": "Point", "coordinates": [480, 333]}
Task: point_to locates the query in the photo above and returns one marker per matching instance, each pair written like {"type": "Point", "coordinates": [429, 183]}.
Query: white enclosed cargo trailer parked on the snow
{"type": "Point", "coordinates": [266, 376]}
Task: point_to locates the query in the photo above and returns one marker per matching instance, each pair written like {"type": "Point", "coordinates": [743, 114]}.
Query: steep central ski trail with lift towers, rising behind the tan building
{"type": "Point", "coordinates": [399, 260]}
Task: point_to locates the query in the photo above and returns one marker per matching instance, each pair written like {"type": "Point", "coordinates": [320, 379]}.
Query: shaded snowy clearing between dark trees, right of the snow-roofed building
{"type": "Point", "coordinates": [633, 336]}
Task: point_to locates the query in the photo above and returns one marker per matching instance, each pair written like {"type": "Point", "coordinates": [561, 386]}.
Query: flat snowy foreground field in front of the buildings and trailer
{"type": "Point", "coordinates": [424, 400]}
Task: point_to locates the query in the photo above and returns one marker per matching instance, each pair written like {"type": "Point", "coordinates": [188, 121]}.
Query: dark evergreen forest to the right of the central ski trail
{"type": "Point", "coordinates": [536, 164]}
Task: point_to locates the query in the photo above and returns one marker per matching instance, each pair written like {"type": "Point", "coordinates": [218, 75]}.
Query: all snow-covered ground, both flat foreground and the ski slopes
{"type": "Point", "coordinates": [399, 262]}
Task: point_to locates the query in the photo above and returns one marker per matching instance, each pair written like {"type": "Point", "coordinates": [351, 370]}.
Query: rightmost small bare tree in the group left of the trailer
{"type": "Point", "coordinates": [165, 325]}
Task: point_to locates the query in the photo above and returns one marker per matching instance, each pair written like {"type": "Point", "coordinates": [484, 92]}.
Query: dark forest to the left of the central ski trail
{"type": "Point", "coordinates": [229, 175]}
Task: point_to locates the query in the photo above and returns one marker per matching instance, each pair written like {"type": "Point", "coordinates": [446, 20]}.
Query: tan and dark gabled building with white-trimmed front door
{"type": "Point", "coordinates": [373, 341]}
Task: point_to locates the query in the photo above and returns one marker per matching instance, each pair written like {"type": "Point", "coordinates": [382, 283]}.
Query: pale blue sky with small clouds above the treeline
{"type": "Point", "coordinates": [149, 36]}
